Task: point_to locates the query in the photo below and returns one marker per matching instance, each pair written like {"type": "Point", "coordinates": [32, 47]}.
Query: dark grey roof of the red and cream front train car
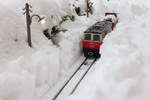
{"type": "Point", "coordinates": [99, 27]}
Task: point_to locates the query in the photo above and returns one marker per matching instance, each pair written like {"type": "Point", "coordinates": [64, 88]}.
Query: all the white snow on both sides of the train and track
{"type": "Point", "coordinates": [27, 73]}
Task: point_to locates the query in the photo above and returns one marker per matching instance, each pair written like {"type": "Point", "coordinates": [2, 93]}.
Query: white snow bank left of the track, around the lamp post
{"type": "Point", "coordinates": [27, 73]}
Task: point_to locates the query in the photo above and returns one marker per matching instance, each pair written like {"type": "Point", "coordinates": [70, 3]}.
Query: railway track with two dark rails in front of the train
{"type": "Point", "coordinates": [75, 79]}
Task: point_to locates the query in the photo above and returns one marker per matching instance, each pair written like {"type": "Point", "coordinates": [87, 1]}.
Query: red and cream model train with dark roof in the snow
{"type": "Point", "coordinates": [94, 35]}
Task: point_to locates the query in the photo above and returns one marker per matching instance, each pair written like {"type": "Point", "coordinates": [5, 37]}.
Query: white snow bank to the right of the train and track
{"type": "Point", "coordinates": [122, 73]}
